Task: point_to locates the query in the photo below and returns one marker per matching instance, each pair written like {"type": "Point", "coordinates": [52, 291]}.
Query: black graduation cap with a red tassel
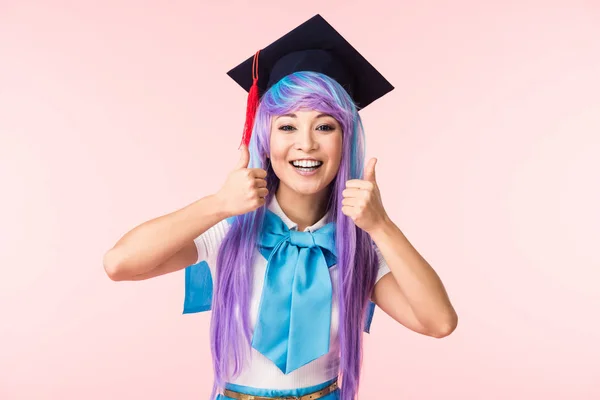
{"type": "Point", "coordinates": [312, 46]}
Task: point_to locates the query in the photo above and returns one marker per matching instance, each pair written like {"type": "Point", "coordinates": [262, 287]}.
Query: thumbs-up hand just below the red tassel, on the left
{"type": "Point", "coordinates": [245, 188]}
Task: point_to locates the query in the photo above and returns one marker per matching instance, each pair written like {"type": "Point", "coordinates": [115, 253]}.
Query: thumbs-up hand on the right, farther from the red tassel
{"type": "Point", "coordinates": [362, 200]}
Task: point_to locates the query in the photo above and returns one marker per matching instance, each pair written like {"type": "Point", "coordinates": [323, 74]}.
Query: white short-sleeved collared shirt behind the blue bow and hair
{"type": "Point", "coordinates": [262, 372]}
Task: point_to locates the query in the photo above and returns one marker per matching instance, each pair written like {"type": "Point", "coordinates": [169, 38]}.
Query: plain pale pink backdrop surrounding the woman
{"type": "Point", "coordinates": [112, 113]}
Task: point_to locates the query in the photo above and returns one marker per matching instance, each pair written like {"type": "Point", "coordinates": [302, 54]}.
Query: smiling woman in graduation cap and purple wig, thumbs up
{"type": "Point", "coordinates": [297, 240]}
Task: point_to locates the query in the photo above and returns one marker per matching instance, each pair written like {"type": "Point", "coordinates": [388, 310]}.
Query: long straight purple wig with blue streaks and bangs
{"type": "Point", "coordinates": [356, 258]}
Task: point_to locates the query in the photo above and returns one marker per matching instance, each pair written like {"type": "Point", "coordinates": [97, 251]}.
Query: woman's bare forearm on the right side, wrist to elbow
{"type": "Point", "coordinates": [418, 281]}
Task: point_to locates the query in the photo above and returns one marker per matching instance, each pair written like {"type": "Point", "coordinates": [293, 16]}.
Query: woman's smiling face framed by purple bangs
{"type": "Point", "coordinates": [306, 149]}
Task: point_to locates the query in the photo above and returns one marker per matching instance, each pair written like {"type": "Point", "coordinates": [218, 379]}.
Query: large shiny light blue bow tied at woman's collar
{"type": "Point", "coordinates": [294, 315]}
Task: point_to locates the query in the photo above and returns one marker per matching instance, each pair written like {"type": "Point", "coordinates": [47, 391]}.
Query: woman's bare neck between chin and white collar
{"type": "Point", "coordinates": [304, 210]}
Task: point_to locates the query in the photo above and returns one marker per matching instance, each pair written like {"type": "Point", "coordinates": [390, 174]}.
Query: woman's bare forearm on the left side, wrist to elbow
{"type": "Point", "coordinates": [153, 242]}
